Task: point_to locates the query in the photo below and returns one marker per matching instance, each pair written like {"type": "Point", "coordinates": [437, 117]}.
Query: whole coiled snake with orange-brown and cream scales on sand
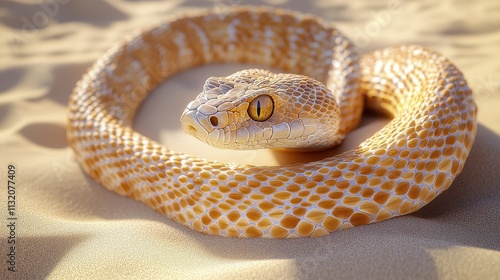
{"type": "Point", "coordinates": [318, 97]}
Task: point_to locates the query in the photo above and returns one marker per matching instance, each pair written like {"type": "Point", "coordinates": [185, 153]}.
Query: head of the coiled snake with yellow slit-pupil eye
{"type": "Point", "coordinates": [258, 109]}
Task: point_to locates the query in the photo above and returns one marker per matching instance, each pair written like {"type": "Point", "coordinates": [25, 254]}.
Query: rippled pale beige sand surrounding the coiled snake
{"type": "Point", "coordinates": [68, 226]}
